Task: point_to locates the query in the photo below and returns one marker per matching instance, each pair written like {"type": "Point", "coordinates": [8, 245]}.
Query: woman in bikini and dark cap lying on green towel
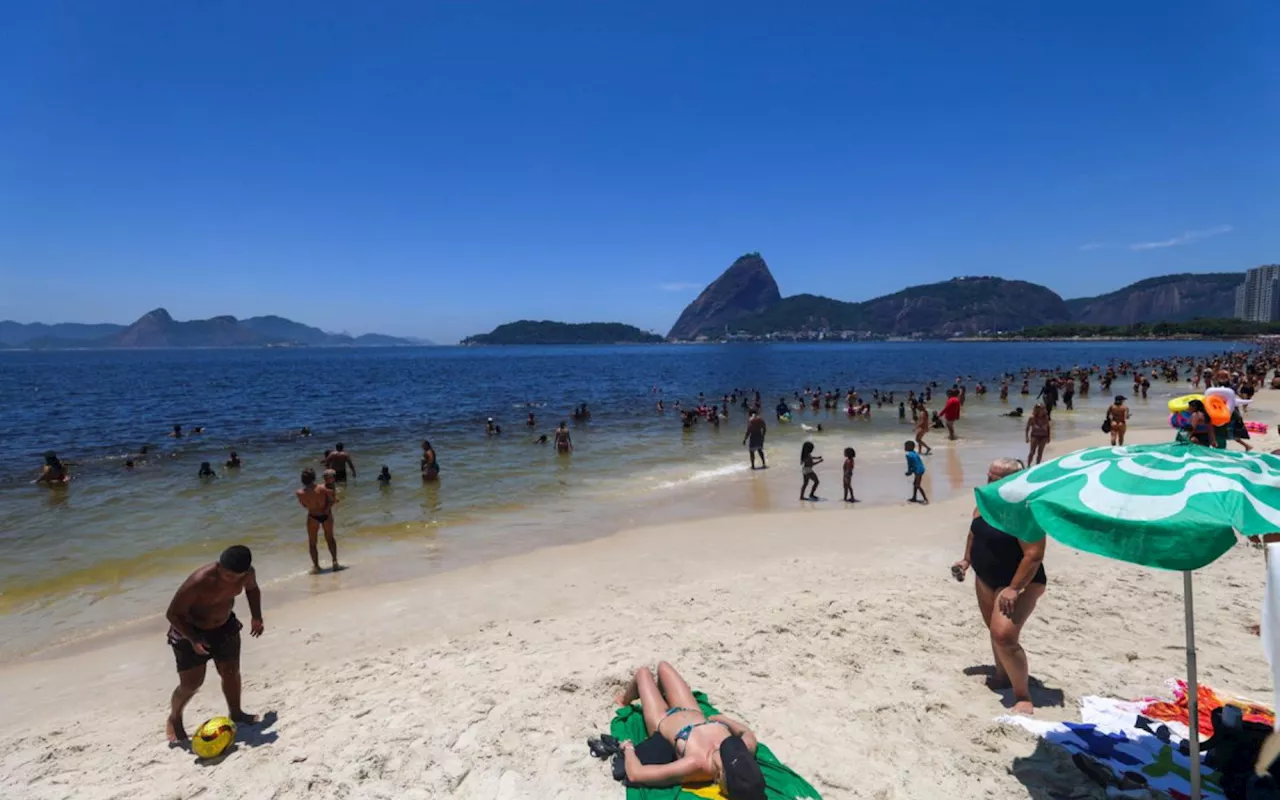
{"type": "Point", "coordinates": [702, 748]}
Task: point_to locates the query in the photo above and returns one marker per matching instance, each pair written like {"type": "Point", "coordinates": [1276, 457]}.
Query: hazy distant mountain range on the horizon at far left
{"type": "Point", "coordinates": [158, 330]}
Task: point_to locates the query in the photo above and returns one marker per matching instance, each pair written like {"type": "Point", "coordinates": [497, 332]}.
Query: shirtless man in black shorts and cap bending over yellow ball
{"type": "Point", "coordinates": [203, 628]}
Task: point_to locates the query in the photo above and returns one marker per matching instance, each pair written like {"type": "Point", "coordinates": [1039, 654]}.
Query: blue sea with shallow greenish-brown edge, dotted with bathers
{"type": "Point", "coordinates": [102, 551]}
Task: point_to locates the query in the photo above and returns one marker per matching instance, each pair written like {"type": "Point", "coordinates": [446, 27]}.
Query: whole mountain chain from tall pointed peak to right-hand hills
{"type": "Point", "coordinates": [744, 304]}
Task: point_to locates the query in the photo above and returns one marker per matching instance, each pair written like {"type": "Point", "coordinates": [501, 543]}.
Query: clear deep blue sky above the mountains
{"type": "Point", "coordinates": [438, 168]}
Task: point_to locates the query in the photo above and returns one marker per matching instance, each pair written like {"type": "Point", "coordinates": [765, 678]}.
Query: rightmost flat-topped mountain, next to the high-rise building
{"type": "Point", "coordinates": [1169, 299]}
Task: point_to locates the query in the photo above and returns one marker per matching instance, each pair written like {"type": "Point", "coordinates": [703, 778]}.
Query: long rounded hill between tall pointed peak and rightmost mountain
{"type": "Point", "coordinates": [961, 307]}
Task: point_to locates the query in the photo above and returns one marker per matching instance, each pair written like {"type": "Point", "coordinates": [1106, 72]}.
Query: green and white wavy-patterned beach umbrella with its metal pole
{"type": "Point", "coordinates": [1172, 506]}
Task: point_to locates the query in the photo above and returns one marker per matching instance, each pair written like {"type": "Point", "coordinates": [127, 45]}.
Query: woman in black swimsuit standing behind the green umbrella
{"type": "Point", "coordinates": [1011, 580]}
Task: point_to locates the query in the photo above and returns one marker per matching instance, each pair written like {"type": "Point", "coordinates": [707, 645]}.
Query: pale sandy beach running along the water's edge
{"type": "Point", "coordinates": [842, 639]}
